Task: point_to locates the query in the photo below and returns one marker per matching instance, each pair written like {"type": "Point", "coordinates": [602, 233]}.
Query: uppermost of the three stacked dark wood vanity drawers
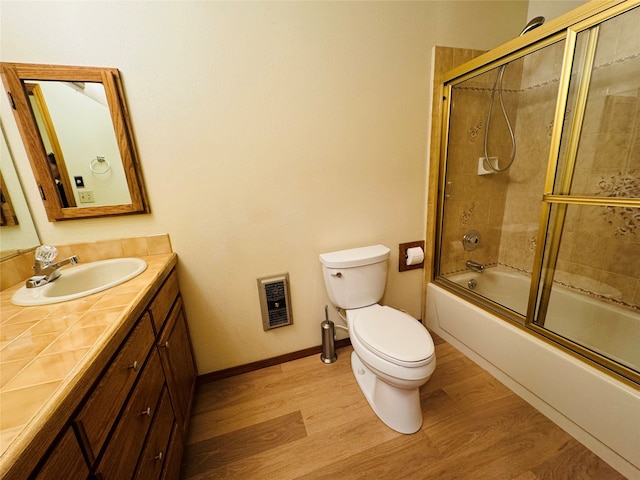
{"type": "Point", "coordinates": [96, 417]}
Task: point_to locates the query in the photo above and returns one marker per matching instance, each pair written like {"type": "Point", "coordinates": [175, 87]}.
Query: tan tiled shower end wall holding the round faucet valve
{"type": "Point", "coordinates": [475, 202]}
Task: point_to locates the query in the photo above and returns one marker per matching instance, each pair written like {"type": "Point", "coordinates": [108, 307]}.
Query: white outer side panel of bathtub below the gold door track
{"type": "Point", "coordinates": [600, 411]}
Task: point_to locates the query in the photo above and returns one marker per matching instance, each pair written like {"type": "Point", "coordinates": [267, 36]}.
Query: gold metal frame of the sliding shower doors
{"type": "Point", "coordinates": [566, 28]}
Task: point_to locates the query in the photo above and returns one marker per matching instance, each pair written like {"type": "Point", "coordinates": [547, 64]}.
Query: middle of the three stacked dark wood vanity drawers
{"type": "Point", "coordinates": [121, 453]}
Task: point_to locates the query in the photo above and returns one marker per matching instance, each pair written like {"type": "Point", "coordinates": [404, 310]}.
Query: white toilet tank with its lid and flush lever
{"type": "Point", "coordinates": [356, 277]}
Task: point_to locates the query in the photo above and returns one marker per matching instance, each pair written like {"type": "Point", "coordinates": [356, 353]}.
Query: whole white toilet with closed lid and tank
{"type": "Point", "coordinates": [393, 354]}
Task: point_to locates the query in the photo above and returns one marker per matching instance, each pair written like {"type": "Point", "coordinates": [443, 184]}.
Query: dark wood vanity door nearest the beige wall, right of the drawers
{"type": "Point", "coordinates": [179, 366]}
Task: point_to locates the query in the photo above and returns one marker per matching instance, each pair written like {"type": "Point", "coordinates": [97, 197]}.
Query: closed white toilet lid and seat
{"type": "Point", "coordinates": [392, 335]}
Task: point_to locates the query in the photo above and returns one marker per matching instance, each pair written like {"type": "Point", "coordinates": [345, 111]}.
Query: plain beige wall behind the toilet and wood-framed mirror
{"type": "Point", "coordinates": [268, 133]}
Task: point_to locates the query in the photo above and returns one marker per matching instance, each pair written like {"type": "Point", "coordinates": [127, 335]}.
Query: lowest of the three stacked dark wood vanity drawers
{"type": "Point", "coordinates": [155, 449]}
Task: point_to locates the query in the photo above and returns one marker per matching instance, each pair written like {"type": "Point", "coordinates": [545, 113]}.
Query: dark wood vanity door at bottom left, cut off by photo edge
{"type": "Point", "coordinates": [65, 460]}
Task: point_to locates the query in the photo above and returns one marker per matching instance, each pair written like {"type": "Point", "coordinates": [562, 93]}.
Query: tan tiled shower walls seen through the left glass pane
{"type": "Point", "coordinates": [503, 207]}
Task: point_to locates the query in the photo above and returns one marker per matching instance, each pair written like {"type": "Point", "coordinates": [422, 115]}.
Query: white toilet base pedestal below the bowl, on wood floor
{"type": "Point", "coordinates": [398, 408]}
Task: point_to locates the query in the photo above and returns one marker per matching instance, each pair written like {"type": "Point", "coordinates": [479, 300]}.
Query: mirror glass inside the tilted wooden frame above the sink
{"type": "Point", "coordinates": [79, 141]}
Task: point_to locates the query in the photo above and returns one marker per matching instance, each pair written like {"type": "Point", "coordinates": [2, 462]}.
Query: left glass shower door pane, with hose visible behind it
{"type": "Point", "coordinates": [491, 212]}
